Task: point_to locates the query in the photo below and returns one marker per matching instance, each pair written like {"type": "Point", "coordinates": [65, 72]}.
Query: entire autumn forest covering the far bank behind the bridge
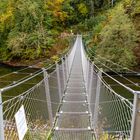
{"type": "Point", "coordinates": [32, 30]}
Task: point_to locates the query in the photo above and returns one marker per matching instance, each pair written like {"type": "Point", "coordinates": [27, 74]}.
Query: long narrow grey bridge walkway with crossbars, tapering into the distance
{"type": "Point", "coordinates": [73, 122]}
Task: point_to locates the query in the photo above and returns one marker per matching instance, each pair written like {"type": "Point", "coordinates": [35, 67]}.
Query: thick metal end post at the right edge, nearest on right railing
{"type": "Point", "coordinates": [135, 124]}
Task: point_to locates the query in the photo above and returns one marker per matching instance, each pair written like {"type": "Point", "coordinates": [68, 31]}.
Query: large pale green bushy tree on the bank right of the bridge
{"type": "Point", "coordinates": [118, 38]}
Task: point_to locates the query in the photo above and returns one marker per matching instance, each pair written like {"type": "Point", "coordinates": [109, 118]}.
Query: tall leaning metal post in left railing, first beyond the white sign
{"type": "Point", "coordinates": [47, 92]}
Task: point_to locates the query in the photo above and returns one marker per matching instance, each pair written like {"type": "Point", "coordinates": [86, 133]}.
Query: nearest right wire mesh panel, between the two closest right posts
{"type": "Point", "coordinates": [114, 113]}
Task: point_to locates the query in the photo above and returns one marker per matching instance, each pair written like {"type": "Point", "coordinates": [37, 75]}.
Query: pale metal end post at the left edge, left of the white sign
{"type": "Point", "coordinates": [1, 118]}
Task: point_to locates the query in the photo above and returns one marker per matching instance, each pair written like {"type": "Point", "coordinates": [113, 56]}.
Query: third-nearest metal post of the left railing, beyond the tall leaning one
{"type": "Point", "coordinates": [58, 81]}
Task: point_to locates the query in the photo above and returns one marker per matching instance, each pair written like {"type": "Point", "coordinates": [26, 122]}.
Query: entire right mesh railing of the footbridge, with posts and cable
{"type": "Point", "coordinates": [112, 107]}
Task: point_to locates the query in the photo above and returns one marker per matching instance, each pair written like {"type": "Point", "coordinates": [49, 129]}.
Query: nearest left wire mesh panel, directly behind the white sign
{"type": "Point", "coordinates": [35, 105]}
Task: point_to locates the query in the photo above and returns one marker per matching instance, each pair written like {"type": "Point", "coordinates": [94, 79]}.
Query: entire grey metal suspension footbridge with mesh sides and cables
{"type": "Point", "coordinates": [71, 101]}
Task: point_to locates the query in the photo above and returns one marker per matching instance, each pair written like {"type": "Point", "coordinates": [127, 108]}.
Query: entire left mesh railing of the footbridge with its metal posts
{"type": "Point", "coordinates": [40, 102]}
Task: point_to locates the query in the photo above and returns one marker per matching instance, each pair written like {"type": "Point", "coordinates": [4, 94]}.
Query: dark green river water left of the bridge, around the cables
{"type": "Point", "coordinates": [8, 77]}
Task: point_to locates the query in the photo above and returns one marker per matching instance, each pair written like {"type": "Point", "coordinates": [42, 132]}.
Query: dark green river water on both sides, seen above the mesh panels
{"type": "Point", "coordinates": [15, 77]}
